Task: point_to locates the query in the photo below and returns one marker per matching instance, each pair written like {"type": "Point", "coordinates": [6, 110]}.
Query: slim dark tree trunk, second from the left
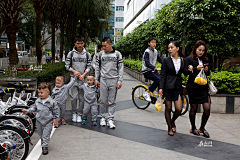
{"type": "Point", "coordinates": [38, 37]}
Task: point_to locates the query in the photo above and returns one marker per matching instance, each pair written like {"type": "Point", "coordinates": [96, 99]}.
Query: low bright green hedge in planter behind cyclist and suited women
{"type": "Point", "coordinates": [226, 82]}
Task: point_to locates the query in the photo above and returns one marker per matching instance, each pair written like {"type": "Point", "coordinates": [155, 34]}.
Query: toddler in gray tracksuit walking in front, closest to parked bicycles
{"type": "Point", "coordinates": [47, 113]}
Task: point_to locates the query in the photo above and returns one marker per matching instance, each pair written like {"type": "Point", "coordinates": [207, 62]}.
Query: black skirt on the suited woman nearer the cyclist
{"type": "Point", "coordinates": [172, 94]}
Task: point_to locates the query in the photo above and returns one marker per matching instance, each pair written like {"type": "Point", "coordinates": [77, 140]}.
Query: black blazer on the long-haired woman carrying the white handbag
{"type": "Point", "coordinates": [192, 76]}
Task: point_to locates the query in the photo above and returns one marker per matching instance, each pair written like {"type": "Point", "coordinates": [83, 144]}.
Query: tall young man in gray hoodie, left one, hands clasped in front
{"type": "Point", "coordinates": [78, 62]}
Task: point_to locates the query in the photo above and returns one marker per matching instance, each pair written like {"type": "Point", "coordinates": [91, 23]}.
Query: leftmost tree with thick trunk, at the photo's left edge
{"type": "Point", "coordinates": [10, 13]}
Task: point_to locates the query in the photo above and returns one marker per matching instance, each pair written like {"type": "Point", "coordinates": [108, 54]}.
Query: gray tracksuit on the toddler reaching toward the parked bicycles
{"type": "Point", "coordinates": [45, 114]}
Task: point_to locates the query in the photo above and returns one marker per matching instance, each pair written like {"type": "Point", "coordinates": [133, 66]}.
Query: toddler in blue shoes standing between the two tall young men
{"type": "Point", "coordinates": [90, 97]}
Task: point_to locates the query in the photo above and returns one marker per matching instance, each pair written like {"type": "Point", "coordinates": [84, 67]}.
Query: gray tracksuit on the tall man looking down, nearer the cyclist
{"type": "Point", "coordinates": [110, 67]}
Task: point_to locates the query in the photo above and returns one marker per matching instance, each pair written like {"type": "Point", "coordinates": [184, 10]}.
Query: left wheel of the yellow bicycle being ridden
{"type": "Point", "coordinates": [138, 99]}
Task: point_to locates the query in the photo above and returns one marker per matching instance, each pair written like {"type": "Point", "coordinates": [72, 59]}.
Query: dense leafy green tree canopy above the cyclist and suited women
{"type": "Point", "coordinates": [219, 28]}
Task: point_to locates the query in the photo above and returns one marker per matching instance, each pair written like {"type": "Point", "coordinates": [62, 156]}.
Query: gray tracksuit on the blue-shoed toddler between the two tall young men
{"type": "Point", "coordinates": [90, 101]}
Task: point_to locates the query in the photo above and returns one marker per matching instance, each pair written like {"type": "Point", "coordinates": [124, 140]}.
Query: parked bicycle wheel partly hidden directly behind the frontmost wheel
{"type": "Point", "coordinates": [16, 121]}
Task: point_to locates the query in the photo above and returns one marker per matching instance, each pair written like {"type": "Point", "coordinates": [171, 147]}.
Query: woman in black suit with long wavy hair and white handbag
{"type": "Point", "coordinates": [198, 94]}
